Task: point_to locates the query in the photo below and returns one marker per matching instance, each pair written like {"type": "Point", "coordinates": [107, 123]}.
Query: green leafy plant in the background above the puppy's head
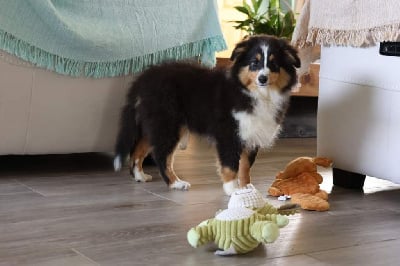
{"type": "Point", "coordinates": [274, 21]}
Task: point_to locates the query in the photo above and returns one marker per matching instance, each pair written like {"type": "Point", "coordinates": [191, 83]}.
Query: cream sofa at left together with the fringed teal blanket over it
{"type": "Point", "coordinates": [65, 66]}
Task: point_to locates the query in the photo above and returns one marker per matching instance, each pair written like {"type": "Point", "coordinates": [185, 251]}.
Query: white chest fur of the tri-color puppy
{"type": "Point", "coordinates": [259, 128]}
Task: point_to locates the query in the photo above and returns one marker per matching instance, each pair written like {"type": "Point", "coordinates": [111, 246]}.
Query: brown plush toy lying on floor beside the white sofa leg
{"type": "Point", "coordinates": [301, 180]}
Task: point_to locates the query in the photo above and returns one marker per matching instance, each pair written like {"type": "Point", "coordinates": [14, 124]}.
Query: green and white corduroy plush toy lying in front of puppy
{"type": "Point", "coordinates": [247, 222]}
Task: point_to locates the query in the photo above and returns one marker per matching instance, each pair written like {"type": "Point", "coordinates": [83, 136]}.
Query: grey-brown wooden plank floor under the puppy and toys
{"type": "Point", "coordinates": [74, 210]}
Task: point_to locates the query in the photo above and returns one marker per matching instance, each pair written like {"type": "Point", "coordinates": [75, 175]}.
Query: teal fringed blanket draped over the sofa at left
{"type": "Point", "coordinates": [105, 38]}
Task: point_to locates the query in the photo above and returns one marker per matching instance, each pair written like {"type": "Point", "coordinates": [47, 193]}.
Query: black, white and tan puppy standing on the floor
{"type": "Point", "coordinates": [240, 109]}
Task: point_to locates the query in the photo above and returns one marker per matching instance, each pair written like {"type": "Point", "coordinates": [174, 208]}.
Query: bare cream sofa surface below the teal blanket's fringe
{"type": "Point", "coordinates": [42, 112]}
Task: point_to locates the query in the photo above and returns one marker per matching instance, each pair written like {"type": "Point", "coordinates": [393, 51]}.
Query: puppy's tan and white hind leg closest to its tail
{"type": "Point", "coordinates": [140, 151]}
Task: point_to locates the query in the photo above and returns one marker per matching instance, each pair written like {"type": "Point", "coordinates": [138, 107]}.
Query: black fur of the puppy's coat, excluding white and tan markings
{"type": "Point", "coordinates": [170, 96]}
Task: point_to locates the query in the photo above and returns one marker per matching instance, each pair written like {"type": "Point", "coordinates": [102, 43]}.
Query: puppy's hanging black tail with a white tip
{"type": "Point", "coordinates": [129, 131]}
